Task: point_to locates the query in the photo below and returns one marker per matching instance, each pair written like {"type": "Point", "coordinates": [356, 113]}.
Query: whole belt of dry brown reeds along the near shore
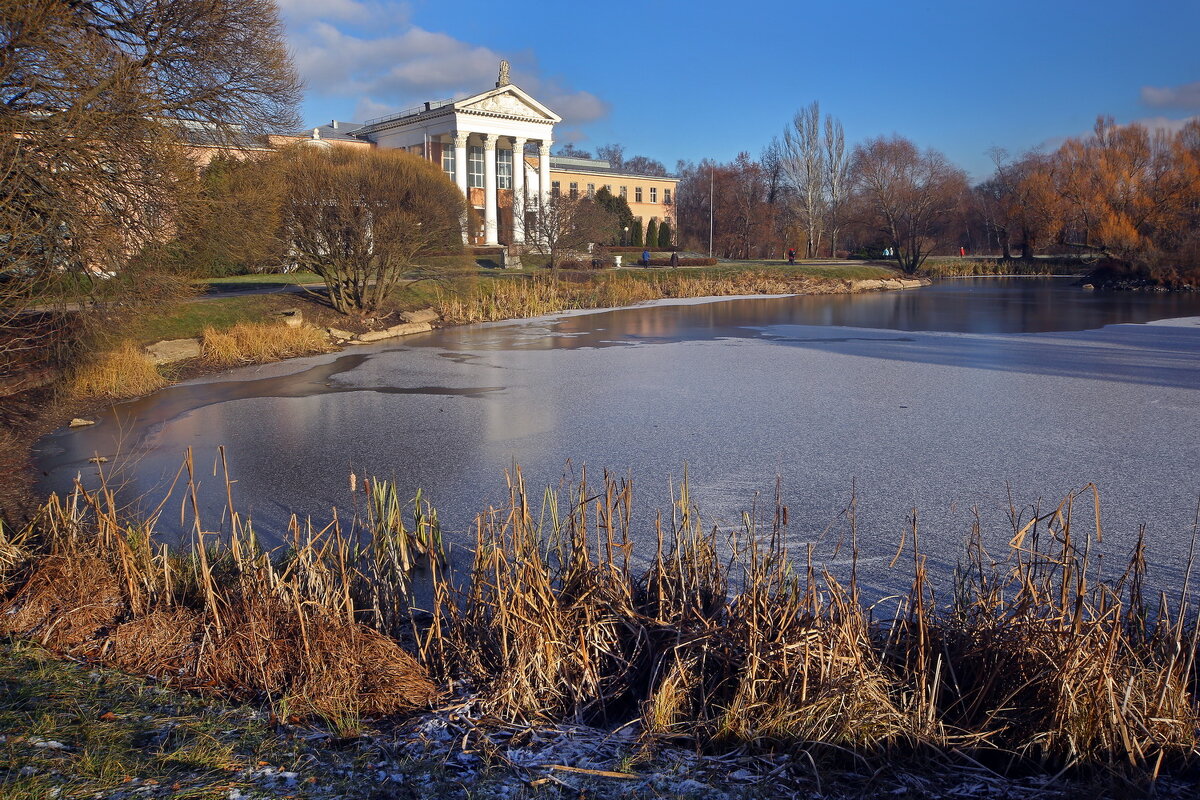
{"type": "Point", "coordinates": [1029, 661]}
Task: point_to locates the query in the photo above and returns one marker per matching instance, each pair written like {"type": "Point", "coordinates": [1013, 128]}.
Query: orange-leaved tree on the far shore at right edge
{"type": "Point", "coordinates": [1131, 195]}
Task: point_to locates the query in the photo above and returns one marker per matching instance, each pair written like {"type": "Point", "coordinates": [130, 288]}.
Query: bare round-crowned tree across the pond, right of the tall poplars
{"type": "Point", "coordinates": [909, 197]}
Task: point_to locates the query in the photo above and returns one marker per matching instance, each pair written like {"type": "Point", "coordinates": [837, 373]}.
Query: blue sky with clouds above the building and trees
{"type": "Point", "coordinates": [674, 80]}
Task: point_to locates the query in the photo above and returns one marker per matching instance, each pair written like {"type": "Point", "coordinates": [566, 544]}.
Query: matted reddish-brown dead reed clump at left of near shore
{"type": "Point", "coordinates": [226, 618]}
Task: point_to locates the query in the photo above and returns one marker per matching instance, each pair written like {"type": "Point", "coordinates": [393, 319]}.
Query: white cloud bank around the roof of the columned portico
{"type": "Point", "coordinates": [407, 65]}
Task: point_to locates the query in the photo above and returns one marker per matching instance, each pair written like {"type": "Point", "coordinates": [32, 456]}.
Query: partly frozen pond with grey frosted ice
{"type": "Point", "coordinates": [946, 399]}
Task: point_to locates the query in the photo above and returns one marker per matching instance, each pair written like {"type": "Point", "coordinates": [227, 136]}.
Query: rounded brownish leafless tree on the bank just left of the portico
{"type": "Point", "coordinates": [362, 219]}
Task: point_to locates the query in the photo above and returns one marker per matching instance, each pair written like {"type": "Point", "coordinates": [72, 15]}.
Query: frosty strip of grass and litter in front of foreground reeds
{"type": "Point", "coordinates": [73, 732]}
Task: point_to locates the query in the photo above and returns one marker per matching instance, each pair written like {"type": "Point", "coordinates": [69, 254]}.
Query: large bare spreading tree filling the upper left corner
{"type": "Point", "coordinates": [97, 100]}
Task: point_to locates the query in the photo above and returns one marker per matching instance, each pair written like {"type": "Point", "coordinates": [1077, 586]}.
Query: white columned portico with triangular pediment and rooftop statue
{"type": "Point", "coordinates": [481, 142]}
